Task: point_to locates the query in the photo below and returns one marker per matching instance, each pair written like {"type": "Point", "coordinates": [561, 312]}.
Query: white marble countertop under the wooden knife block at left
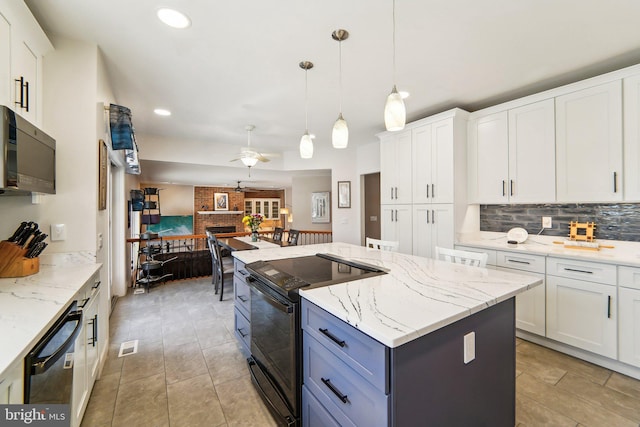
{"type": "Point", "coordinates": [30, 305]}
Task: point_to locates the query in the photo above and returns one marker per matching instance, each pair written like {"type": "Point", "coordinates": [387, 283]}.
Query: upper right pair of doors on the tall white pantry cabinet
{"type": "Point", "coordinates": [433, 162]}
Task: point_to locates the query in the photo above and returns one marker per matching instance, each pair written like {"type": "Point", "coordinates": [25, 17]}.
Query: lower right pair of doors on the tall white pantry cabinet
{"type": "Point", "coordinates": [433, 225]}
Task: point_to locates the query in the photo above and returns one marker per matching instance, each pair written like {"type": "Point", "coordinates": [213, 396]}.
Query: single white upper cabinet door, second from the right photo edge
{"type": "Point", "coordinates": [589, 144]}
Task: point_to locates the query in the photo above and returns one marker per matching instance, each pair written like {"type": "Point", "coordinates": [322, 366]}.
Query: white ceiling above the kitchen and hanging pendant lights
{"type": "Point", "coordinates": [238, 63]}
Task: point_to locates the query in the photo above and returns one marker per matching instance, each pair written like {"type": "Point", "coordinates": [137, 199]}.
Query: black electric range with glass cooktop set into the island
{"type": "Point", "coordinates": [276, 336]}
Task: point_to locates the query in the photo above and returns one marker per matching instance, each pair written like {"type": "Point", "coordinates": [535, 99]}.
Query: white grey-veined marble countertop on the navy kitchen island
{"type": "Point", "coordinates": [418, 295]}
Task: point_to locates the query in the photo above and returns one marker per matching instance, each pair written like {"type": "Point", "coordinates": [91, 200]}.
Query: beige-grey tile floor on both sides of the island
{"type": "Point", "coordinates": [189, 372]}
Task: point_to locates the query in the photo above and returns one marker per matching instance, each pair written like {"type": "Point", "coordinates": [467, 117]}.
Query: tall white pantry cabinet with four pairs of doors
{"type": "Point", "coordinates": [422, 182]}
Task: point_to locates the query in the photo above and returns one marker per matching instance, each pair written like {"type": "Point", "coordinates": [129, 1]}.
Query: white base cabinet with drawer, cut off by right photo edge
{"type": "Point", "coordinates": [629, 315]}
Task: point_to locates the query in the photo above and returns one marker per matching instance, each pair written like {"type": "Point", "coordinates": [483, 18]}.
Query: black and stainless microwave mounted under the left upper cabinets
{"type": "Point", "coordinates": [28, 156]}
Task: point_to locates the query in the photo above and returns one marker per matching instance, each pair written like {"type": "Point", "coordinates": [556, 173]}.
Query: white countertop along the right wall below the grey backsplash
{"type": "Point", "coordinates": [622, 253]}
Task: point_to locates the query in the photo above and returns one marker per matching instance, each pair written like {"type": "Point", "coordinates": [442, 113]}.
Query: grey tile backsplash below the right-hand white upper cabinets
{"type": "Point", "coordinates": [614, 221]}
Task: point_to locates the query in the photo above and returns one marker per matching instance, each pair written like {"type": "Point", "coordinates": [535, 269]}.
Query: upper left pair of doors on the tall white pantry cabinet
{"type": "Point", "coordinates": [395, 168]}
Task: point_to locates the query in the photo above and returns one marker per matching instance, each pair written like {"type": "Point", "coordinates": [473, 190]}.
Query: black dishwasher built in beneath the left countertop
{"type": "Point", "coordinates": [49, 366]}
